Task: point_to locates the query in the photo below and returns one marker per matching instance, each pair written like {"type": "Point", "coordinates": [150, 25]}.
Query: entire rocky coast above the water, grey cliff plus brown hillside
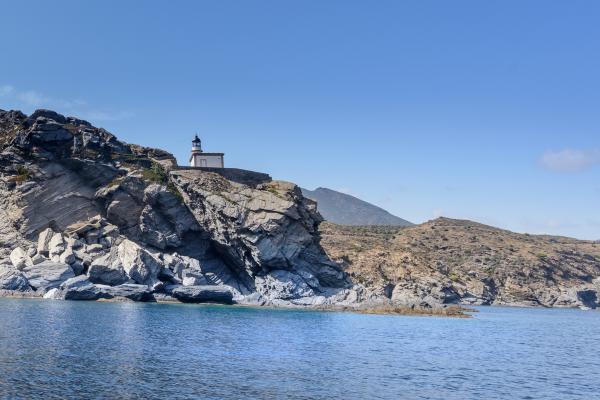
{"type": "Point", "coordinates": [85, 216]}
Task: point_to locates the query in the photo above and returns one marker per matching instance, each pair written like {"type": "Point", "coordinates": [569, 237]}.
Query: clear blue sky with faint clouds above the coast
{"type": "Point", "coordinates": [487, 110]}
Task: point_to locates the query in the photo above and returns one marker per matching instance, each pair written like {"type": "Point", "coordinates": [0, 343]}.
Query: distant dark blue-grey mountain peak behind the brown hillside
{"type": "Point", "coordinates": [344, 209]}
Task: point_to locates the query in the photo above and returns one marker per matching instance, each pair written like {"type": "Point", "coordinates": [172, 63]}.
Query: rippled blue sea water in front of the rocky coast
{"type": "Point", "coordinates": [61, 349]}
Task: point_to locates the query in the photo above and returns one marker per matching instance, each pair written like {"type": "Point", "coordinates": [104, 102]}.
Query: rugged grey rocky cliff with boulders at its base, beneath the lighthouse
{"type": "Point", "coordinates": [87, 216]}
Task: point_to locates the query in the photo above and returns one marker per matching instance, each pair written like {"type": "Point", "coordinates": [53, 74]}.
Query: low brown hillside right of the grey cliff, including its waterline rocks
{"type": "Point", "coordinates": [460, 260]}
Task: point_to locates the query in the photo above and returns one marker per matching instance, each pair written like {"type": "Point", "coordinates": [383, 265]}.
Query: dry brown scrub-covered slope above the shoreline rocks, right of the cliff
{"type": "Point", "coordinates": [461, 254]}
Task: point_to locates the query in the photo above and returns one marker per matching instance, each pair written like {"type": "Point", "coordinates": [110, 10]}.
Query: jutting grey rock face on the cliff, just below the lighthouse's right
{"type": "Point", "coordinates": [258, 229]}
